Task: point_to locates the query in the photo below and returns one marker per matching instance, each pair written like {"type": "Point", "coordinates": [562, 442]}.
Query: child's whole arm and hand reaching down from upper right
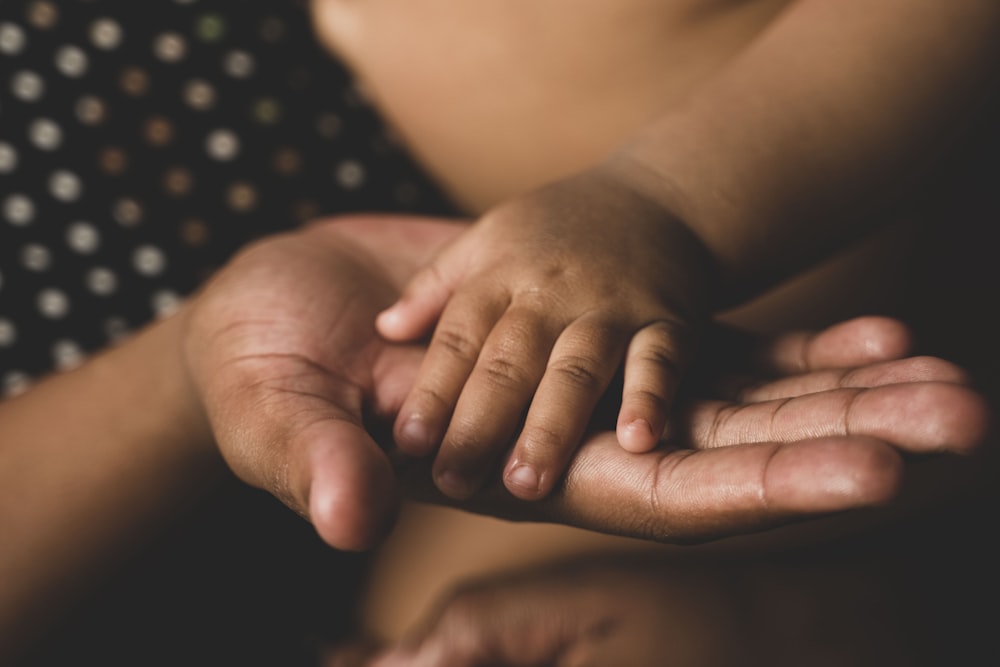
{"type": "Point", "coordinates": [765, 171]}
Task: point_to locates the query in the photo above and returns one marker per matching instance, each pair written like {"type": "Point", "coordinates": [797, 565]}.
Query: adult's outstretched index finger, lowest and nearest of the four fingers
{"type": "Point", "coordinates": [688, 496]}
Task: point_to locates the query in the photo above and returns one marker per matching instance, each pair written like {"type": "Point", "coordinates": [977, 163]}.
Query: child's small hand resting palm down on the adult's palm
{"type": "Point", "coordinates": [534, 310]}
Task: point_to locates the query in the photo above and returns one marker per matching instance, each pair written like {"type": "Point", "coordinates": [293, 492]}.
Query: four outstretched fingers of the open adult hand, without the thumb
{"type": "Point", "coordinates": [818, 424]}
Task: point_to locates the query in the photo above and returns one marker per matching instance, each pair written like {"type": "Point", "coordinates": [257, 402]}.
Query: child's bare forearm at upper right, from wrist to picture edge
{"type": "Point", "coordinates": [788, 153]}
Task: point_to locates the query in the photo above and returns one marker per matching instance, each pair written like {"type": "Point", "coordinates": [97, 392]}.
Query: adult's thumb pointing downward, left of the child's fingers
{"type": "Point", "coordinates": [296, 432]}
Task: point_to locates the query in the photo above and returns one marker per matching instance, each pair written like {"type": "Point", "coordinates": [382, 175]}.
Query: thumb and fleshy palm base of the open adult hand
{"type": "Point", "coordinates": [282, 348]}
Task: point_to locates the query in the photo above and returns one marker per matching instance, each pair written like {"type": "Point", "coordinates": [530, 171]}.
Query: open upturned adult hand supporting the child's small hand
{"type": "Point", "coordinates": [282, 347]}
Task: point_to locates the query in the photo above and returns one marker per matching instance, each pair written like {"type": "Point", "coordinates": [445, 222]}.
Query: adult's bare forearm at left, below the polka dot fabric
{"type": "Point", "coordinates": [88, 460]}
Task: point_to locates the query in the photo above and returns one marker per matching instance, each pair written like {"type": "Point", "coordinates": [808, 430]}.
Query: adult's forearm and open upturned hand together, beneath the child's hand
{"type": "Point", "coordinates": [276, 366]}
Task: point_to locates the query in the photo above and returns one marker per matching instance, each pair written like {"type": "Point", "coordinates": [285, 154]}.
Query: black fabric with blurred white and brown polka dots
{"type": "Point", "coordinates": [142, 143]}
